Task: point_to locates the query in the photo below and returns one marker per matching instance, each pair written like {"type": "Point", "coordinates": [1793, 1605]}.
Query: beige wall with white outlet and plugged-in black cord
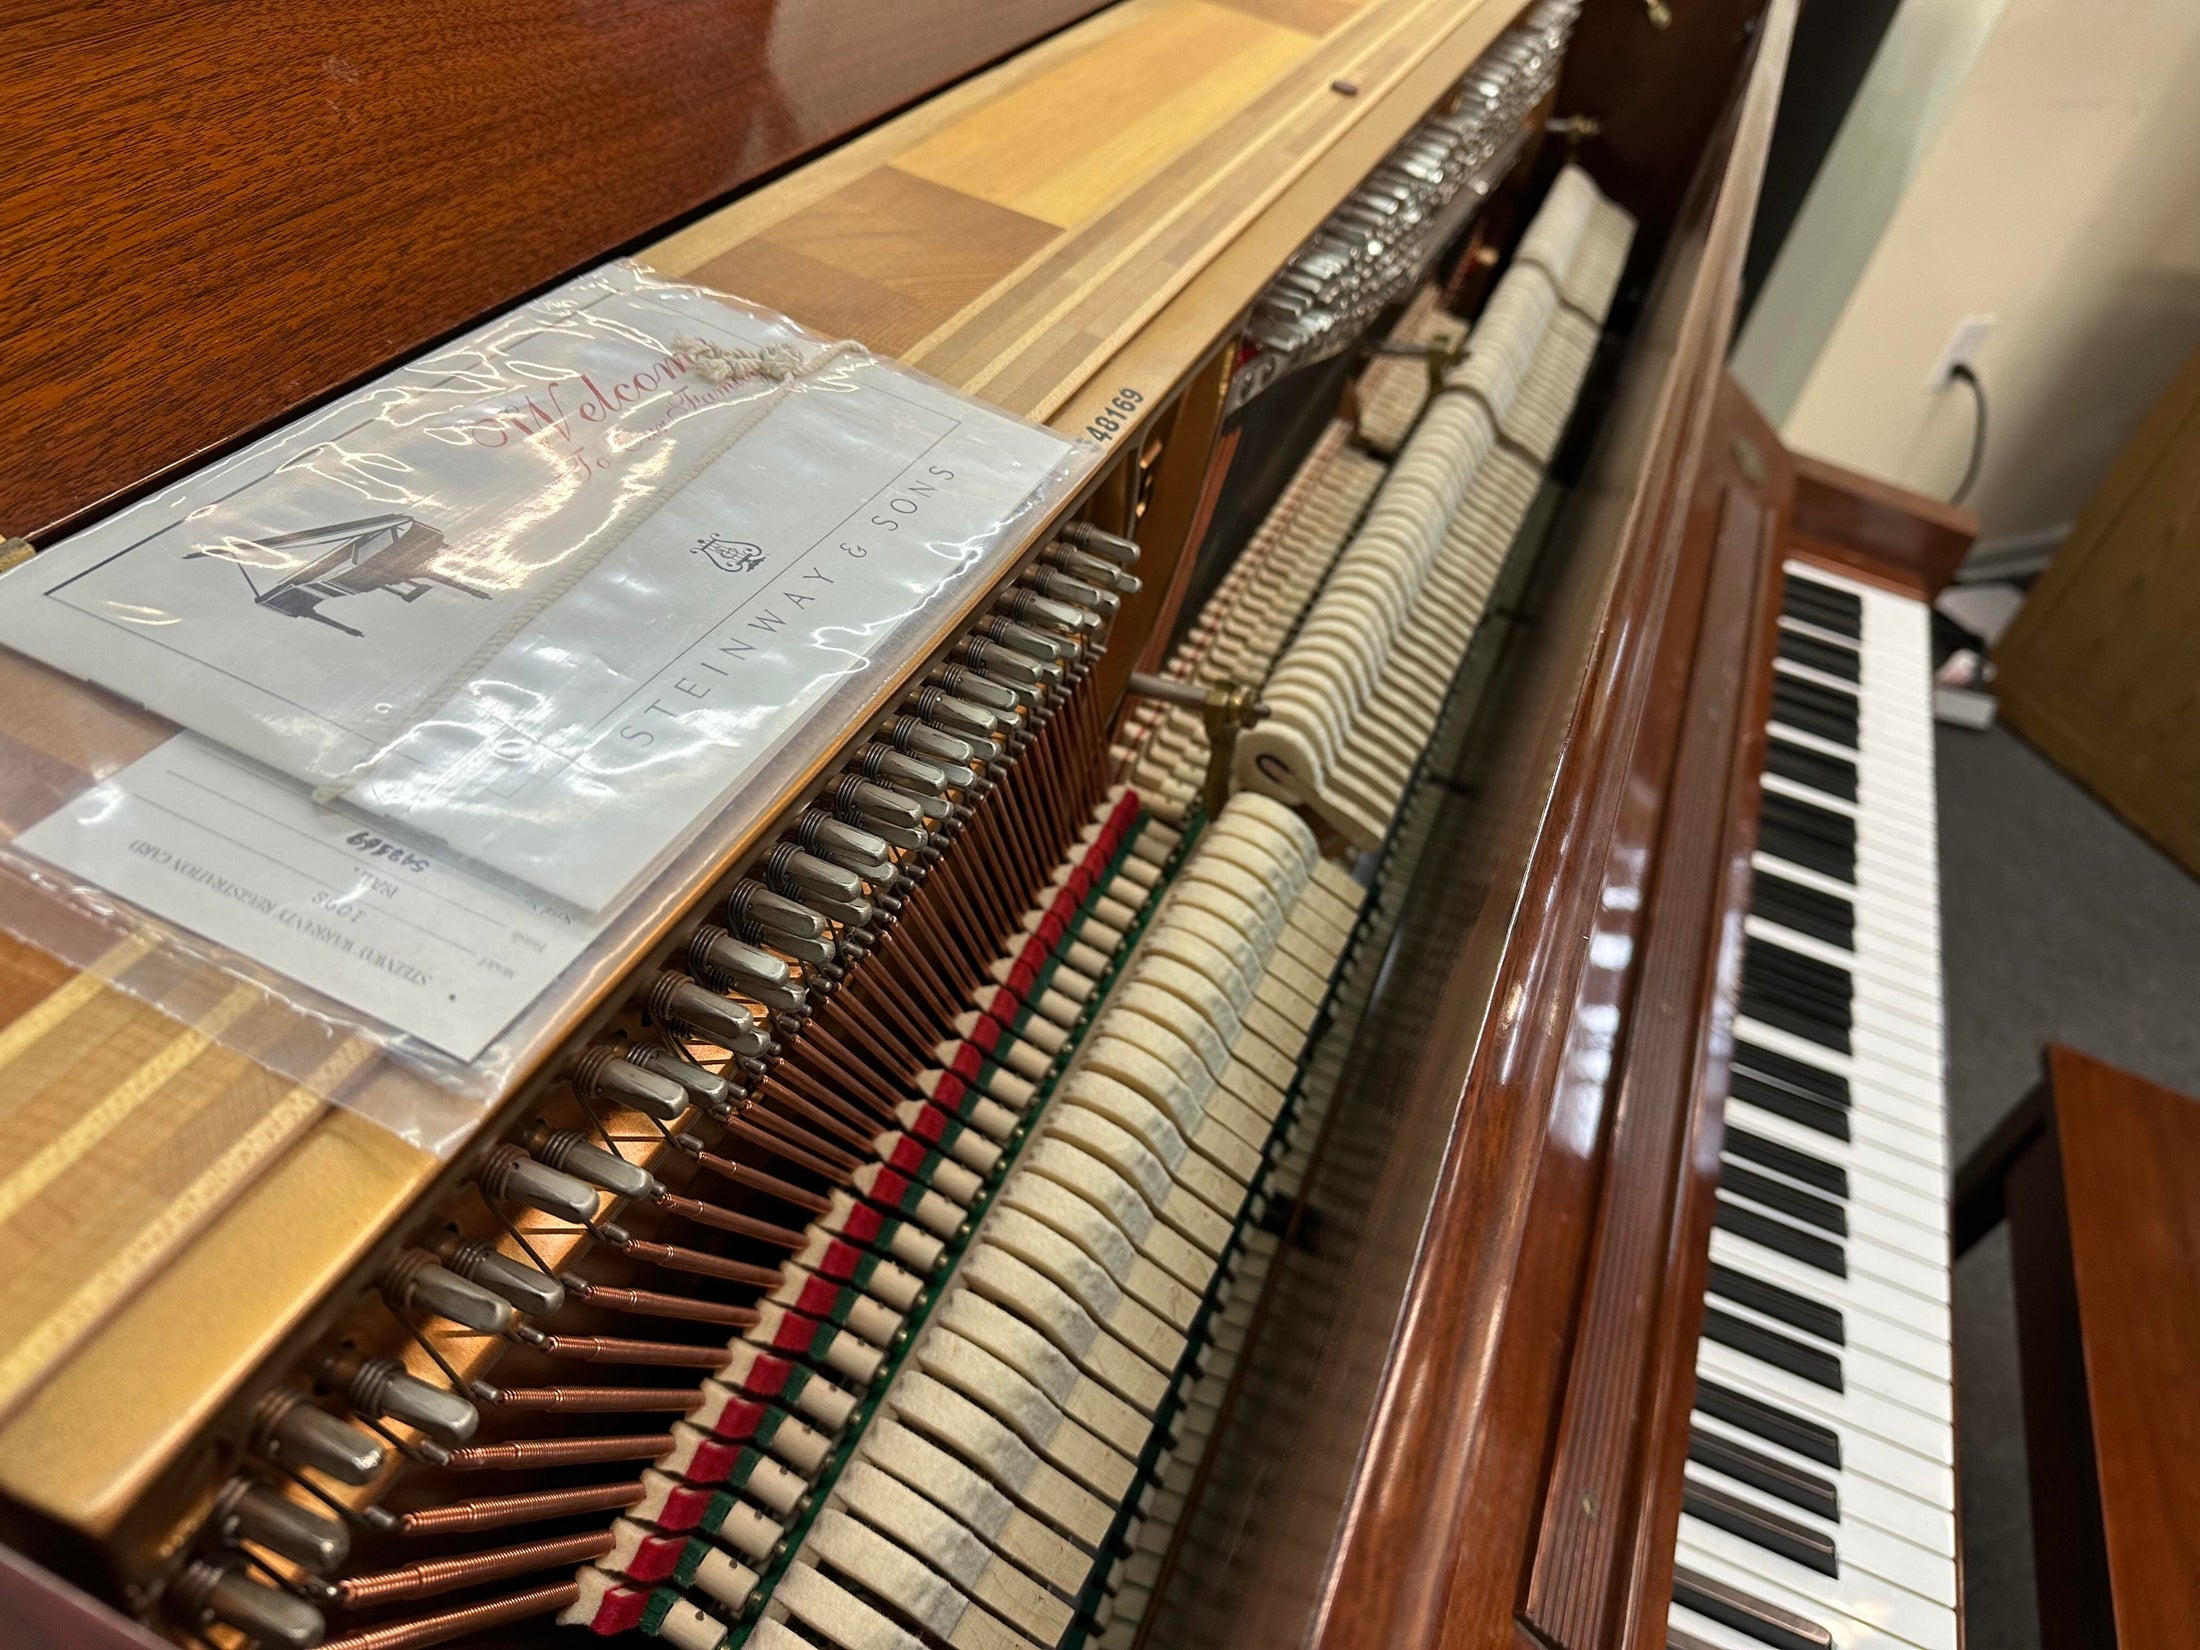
{"type": "Point", "coordinates": [2062, 197]}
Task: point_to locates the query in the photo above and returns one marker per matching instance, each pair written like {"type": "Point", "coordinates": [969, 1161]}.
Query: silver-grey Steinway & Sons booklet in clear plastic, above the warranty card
{"type": "Point", "coordinates": [562, 593]}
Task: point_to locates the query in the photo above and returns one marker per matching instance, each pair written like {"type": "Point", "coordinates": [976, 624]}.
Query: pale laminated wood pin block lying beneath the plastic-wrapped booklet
{"type": "Point", "coordinates": [1229, 170]}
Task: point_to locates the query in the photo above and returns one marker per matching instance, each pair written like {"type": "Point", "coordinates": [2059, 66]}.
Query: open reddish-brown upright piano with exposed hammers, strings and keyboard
{"type": "Point", "coordinates": [1350, 1059]}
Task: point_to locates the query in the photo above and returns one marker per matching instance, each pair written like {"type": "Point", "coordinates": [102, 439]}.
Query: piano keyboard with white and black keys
{"type": "Point", "coordinates": [1820, 1493]}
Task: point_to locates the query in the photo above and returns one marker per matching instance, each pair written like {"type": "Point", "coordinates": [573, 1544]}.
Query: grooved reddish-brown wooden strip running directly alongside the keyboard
{"type": "Point", "coordinates": [1600, 1545]}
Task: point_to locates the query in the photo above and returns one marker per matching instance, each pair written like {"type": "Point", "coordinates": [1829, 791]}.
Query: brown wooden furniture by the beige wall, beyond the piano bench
{"type": "Point", "coordinates": [2098, 668]}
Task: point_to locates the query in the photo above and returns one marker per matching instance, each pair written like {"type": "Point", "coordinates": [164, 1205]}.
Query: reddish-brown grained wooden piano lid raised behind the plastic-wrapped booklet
{"type": "Point", "coordinates": [214, 217]}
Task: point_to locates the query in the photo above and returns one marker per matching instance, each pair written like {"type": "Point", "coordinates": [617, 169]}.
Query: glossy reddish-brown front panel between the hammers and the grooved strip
{"type": "Point", "coordinates": [1389, 1479]}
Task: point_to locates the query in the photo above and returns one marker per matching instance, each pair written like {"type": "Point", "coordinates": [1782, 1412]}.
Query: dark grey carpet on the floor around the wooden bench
{"type": "Point", "coordinates": [2060, 925]}
